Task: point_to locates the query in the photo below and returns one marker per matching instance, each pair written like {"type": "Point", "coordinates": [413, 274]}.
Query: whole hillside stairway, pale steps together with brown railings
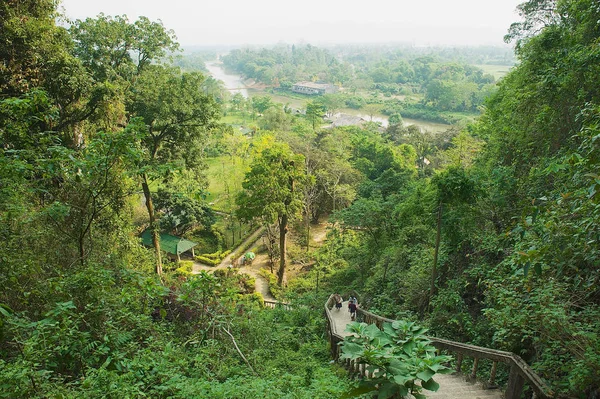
{"type": "Point", "coordinates": [458, 385]}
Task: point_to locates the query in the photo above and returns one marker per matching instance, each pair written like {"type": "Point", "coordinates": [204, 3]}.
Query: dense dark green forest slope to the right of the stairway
{"type": "Point", "coordinates": [504, 239]}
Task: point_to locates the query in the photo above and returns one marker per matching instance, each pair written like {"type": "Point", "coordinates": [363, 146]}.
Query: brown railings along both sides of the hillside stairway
{"type": "Point", "coordinates": [520, 372]}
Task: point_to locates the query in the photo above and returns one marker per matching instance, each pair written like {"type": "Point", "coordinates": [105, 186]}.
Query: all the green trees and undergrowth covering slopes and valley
{"type": "Point", "coordinates": [486, 233]}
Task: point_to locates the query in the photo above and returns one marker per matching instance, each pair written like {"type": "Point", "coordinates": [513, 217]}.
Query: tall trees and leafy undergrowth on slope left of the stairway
{"type": "Point", "coordinates": [90, 117]}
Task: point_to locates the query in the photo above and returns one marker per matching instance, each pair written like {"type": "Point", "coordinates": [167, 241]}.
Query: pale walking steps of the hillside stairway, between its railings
{"type": "Point", "coordinates": [451, 386]}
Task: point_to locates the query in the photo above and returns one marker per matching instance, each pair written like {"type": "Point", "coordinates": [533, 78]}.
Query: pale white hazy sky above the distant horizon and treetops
{"type": "Point", "coordinates": [216, 22]}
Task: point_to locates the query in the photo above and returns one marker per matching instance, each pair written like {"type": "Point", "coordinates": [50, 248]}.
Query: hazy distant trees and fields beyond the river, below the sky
{"type": "Point", "coordinates": [433, 85]}
